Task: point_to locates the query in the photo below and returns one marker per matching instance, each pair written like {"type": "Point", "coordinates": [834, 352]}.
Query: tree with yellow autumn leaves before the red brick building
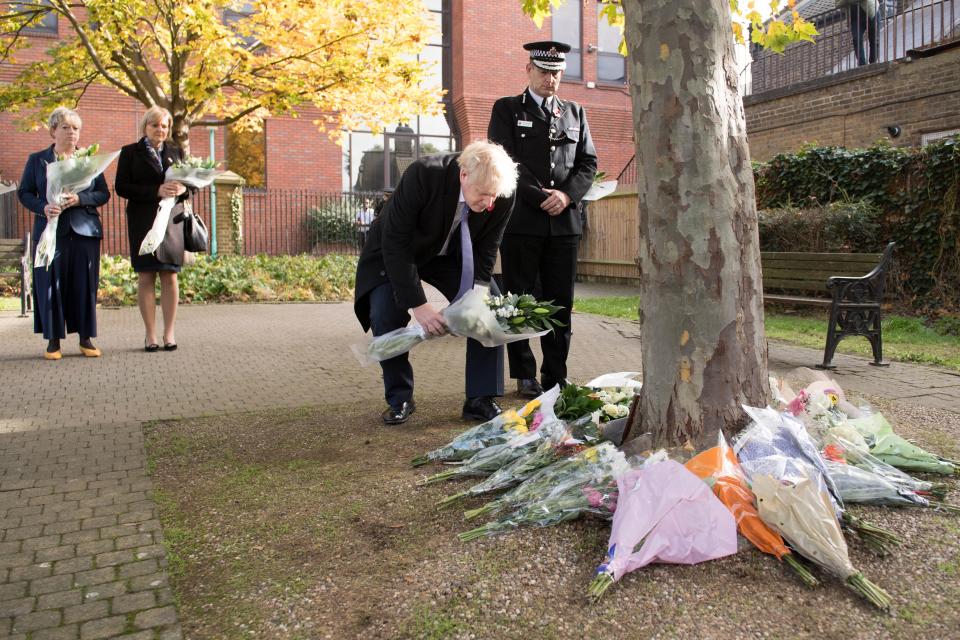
{"type": "Point", "coordinates": [228, 61]}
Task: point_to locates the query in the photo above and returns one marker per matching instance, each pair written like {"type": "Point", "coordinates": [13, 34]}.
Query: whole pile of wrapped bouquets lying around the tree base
{"type": "Point", "coordinates": [782, 485]}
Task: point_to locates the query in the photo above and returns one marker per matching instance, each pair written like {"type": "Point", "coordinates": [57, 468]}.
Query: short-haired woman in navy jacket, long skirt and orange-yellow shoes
{"type": "Point", "coordinates": [65, 295]}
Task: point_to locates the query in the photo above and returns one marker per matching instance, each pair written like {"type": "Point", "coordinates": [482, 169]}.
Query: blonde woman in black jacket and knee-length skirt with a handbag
{"type": "Point", "coordinates": [140, 179]}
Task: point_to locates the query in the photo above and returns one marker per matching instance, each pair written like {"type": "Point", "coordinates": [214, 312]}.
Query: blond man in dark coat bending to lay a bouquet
{"type": "Point", "coordinates": [418, 237]}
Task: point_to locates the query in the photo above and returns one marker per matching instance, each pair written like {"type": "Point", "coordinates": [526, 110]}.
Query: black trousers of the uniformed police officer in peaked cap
{"type": "Point", "coordinates": [551, 261]}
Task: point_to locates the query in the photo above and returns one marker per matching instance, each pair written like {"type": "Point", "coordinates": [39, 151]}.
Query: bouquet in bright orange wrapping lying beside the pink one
{"type": "Point", "coordinates": [719, 468]}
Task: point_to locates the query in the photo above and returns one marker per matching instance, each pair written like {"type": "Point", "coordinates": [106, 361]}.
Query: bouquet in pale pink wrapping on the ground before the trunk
{"type": "Point", "coordinates": [664, 514]}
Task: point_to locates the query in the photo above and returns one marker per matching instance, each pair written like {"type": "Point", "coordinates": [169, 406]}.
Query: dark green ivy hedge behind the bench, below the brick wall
{"type": "Point", "coordinates": [914, 192]}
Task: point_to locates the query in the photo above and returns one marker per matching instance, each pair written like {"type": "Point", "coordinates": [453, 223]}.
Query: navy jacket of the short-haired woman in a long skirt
{"type": "Point", "coordinates": [83, 218]}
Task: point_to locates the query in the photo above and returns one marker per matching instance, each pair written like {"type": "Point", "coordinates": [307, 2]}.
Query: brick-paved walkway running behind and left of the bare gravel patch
{"type": "Point", "coordinates": [81, 553]}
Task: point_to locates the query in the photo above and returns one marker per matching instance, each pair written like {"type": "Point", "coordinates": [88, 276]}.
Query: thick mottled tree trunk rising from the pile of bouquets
{"type": "Point", "coordinates": [701, 304]}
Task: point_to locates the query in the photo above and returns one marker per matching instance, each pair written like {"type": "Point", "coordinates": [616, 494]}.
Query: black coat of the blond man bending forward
{"type": "Point", "coordinates": [412, 227]}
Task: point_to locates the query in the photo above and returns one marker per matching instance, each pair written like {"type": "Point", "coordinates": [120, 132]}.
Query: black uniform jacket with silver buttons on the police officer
{"type": "Point", "coordinates": [559, 155]}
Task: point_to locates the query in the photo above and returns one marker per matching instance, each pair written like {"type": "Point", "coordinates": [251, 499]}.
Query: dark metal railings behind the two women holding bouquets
{"type": "Point", "coordinates": [16, 220]}
